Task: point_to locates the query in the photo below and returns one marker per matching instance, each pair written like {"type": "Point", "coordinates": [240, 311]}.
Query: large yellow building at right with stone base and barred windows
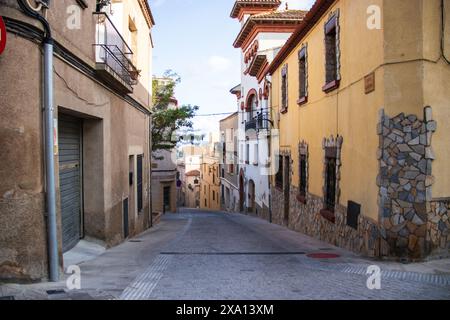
{"type": "Point", "coordinates": [360, 94]}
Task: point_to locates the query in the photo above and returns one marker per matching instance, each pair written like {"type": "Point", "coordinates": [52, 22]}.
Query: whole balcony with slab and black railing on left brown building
{"type": "Point", "coordinates": [113, 56]}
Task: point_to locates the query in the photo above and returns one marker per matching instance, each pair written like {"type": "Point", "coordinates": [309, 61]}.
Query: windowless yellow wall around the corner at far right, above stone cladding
{"type": "Point", "coordinates": [425, 79]}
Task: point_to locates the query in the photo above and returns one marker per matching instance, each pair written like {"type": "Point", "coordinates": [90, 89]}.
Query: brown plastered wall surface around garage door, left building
{"type": "Point", "coordinates": [113, 130]}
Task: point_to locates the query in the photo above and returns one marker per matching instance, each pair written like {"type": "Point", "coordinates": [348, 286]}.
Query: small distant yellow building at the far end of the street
{"type": "Point", "coordinates": [210, 184]}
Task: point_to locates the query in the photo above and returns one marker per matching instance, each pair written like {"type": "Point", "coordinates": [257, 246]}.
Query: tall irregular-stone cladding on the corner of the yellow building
{"type": "Point", "coordinates": [405, 181]}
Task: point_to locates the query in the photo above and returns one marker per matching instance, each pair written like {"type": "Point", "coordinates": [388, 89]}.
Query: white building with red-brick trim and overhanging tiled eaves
{"type": "Point", "coordinates": [265, 27]}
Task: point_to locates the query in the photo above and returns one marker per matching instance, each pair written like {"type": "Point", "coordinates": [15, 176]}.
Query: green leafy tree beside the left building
{"type": "Point", "coordinates": [165, 120]}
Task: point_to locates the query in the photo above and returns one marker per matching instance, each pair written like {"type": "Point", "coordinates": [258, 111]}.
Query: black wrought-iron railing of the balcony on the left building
{"type": "Point", "coordinates": [113, 51]}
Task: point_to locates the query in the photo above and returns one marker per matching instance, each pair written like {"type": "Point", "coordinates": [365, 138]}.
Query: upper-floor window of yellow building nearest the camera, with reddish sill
{"type": "Point", "coordinates": [332, 76]}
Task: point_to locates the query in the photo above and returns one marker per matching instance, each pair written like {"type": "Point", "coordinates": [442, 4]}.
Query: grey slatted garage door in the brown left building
{"type": "Point", "coordinates": [69, 139]}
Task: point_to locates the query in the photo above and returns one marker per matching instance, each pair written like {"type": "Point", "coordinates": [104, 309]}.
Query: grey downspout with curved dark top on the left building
{"type": "Point", "coordinates": [49, 142]}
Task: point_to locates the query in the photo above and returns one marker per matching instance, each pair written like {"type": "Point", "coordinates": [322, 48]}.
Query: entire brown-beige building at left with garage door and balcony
{"type": "Point", "coordinates": [102, 99]}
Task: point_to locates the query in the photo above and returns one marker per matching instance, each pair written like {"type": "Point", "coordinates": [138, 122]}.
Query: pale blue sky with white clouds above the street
{"type": "Point", "coordinates": [194, 38]}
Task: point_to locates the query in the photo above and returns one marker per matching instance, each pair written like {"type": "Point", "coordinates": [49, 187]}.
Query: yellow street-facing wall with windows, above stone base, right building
{"type": "Point", "coordinates": [347, 111]}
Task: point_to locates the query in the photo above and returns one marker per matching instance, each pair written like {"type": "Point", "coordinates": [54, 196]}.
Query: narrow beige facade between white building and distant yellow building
{"type": "Point", "coordinates": [229, 189]}
